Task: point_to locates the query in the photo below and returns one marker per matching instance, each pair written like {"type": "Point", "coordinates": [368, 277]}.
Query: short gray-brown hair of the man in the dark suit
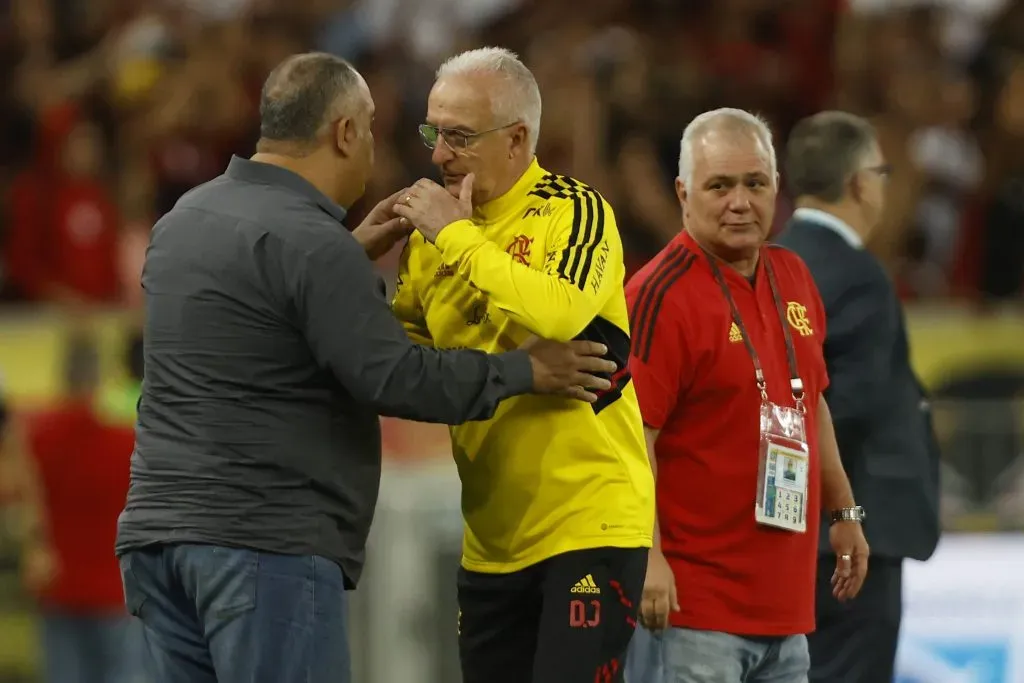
{"type": "Point", "coordinates": [824, 152]}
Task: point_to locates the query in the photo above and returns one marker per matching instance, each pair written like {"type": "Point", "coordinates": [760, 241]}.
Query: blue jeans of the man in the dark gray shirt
{"type": "Point", "coordinates": [215, 615]}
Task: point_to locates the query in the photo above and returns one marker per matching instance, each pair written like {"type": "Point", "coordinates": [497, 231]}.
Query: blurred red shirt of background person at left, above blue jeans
{"type": "Point", "coordinates": [83, 467]}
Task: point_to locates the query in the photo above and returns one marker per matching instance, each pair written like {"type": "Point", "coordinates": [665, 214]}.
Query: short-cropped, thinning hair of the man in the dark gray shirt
{"type": "Point", "coordinates": [305, 94]}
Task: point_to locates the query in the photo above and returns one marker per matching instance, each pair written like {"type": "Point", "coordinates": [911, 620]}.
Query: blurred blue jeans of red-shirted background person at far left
{"type": "Point", "coordinates": [90, 649]}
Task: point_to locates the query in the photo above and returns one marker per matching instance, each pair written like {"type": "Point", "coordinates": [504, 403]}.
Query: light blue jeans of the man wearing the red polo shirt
{"type": "Point", "coordinates": [685, 656]}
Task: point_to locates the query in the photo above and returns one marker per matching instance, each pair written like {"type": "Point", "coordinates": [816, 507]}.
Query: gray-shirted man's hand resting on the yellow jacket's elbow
{"type": "Point", "coordinates": [570, 369]}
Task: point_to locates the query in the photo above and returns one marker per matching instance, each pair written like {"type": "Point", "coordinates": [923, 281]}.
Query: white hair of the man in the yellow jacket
{"type": "Point", "coordinates": [518, 101]}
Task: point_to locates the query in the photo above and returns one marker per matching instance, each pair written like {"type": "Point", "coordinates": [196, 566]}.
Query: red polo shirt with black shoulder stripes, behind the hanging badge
{"type": "Point", "coordinates": [695, 379]}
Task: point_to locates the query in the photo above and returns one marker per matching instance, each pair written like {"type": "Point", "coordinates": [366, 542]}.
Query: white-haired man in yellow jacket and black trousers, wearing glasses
{"type": "Point", "coordinates": [559, 496]}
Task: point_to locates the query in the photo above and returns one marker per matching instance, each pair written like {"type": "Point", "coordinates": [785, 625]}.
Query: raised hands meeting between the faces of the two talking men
{"type": "Point", "coordinates": [426, 207]}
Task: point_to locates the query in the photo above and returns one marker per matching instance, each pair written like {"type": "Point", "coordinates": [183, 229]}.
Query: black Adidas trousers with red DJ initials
{"type": "Point", "coordinates": [567, 620]}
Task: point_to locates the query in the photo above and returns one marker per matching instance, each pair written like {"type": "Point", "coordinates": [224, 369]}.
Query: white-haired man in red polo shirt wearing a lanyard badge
{"type": "Point", "coordinates": [728, 361]}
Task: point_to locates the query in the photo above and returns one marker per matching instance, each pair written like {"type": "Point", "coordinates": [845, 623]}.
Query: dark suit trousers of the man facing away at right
{"type": "Point", "coordinates": [857, 643]}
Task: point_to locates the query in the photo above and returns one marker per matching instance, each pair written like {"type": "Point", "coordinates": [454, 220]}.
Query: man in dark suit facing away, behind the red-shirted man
{"type": "Point", "coordinates": [837, 176]}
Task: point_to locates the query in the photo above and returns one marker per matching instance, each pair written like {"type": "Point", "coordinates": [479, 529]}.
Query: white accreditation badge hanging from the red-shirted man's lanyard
{"type": "Point", "coordinates": [784, 467]}
